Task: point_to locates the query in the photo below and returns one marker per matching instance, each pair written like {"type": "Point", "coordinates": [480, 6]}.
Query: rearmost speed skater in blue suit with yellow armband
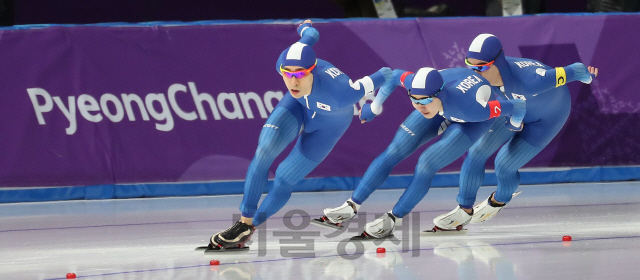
{"type": "Point", "coordinates": [548, 106]}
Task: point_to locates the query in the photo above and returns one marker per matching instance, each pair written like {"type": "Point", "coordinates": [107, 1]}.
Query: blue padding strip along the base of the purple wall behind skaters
{"type": "Point", "coordinates": [528, 177]}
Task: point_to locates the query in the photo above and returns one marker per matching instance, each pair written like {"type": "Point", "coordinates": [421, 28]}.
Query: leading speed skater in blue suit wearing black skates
{"type": "Point", "coordinates": [320, 101]}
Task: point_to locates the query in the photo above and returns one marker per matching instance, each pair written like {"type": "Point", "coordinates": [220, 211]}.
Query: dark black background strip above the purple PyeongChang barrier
{"type": "Point", "coordinates": [82, 11]}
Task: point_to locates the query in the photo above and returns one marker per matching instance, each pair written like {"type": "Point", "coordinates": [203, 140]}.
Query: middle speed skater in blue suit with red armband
{"type": "Point", "coordinates": [458, 101]}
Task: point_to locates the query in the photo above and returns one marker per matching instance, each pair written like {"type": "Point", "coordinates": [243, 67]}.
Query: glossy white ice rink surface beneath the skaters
{"type": "Point", "coordinates": [155, 238]}
